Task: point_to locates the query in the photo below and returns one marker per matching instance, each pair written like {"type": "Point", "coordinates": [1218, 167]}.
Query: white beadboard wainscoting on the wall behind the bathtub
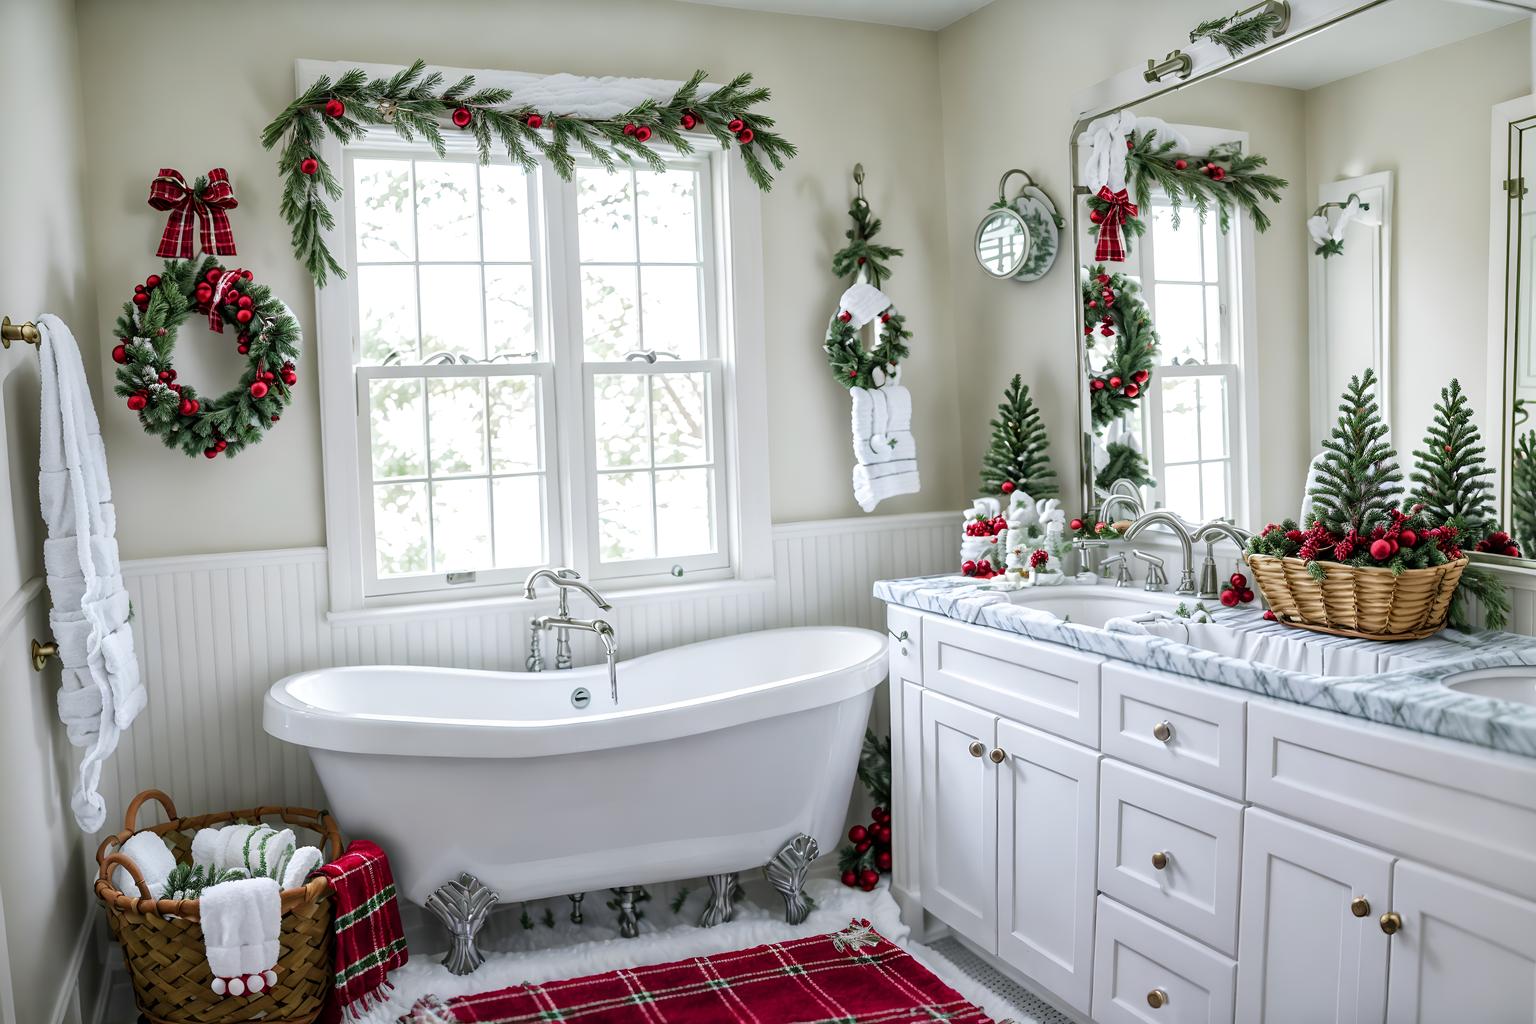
{"type": "Point", "coordinates": [216, 632]}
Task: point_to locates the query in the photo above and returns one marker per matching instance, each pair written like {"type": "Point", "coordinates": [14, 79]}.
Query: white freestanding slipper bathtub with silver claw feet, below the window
{"type": "Point", "coordinates": [717, 755]}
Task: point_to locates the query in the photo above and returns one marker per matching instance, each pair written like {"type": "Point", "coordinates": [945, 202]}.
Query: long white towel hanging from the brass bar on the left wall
{"type": "Point", "coordinates": [101, 690]}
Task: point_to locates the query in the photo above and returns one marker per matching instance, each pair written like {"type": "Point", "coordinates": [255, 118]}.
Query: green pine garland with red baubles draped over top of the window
{"type": "Point", "coordinates": [415, 102]}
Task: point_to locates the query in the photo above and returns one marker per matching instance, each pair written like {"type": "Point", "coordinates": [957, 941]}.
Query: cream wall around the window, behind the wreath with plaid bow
{"type": "Point", "coordinates": [844, 93]}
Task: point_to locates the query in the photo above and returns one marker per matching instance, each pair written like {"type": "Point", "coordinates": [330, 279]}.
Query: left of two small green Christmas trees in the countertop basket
{"type": "Point", "coordinates": [1359, 480]}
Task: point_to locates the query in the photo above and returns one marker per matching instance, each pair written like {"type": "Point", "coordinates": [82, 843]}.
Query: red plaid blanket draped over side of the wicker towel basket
{"type": "Point", "coordinates": [369, 939]}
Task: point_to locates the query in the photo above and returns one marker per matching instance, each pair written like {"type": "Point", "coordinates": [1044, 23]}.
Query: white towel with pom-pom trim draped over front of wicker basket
{"type": "Point", "coordinates": [242, 922]}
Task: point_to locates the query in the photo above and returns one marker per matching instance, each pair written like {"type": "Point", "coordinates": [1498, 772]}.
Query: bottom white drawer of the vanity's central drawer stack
{"type": "Point", "coordinates": [1136, 959]}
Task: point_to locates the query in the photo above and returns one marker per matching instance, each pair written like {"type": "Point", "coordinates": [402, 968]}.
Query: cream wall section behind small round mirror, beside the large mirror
{"type": "Point", "coordinates": [1008, 76]}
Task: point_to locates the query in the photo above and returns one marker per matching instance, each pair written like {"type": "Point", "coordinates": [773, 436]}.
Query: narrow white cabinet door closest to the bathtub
{"type": "Point", "coordinates": [959, 865]}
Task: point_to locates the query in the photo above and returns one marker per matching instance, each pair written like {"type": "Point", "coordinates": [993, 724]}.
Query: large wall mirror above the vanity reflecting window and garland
{"type": "Point", "coordinates": [1400, 242]}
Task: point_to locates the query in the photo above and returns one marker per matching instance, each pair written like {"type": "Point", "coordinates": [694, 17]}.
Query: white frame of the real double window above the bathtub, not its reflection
{"type": "Point", "coordinates": [738, 383]}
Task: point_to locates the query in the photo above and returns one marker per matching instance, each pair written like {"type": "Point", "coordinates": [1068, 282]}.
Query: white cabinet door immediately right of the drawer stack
{"type": "Point", "coordinates": [1303, 956]}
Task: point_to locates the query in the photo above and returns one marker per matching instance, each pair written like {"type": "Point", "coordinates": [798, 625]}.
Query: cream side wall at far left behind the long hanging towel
{"type": "Point", "coordinates": [44, 894]}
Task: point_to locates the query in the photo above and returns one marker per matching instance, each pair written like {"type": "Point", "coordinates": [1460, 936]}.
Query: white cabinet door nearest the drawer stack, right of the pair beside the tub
{"type": "Point", "coordinates": [1048, 833]}
